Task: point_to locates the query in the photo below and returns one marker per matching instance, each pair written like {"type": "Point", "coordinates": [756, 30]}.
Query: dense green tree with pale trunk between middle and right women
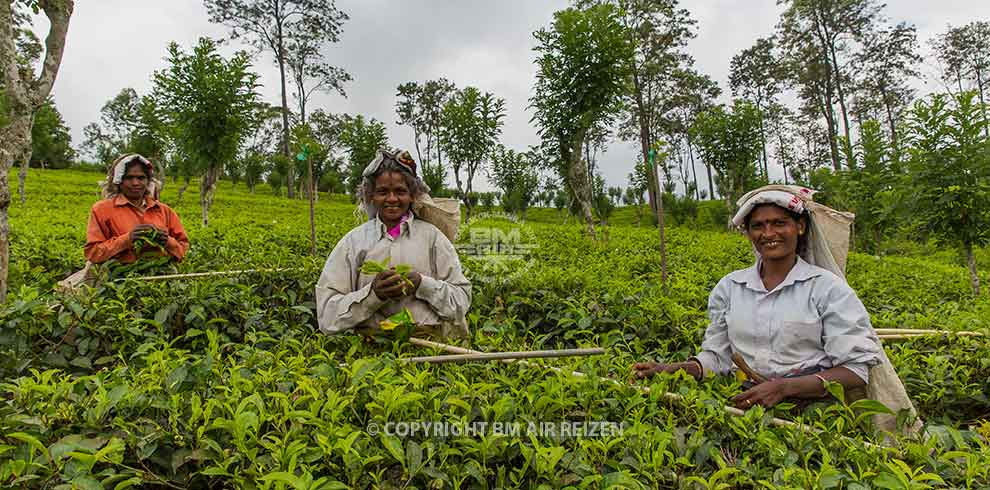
{"type": "Point", "coordinates": [583, 66]}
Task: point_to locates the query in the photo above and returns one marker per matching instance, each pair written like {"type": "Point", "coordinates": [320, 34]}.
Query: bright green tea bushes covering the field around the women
{"type": "Point", "coordinates": [225, 382]}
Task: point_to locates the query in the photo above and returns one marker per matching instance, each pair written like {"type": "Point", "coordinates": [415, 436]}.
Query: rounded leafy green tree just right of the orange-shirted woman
{"type": "Point", "coordinates": [210, 103]}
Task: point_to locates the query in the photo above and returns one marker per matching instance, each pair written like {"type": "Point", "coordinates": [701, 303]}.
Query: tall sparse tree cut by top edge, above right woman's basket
{"type": "Point", "coordinates": [832, 27]}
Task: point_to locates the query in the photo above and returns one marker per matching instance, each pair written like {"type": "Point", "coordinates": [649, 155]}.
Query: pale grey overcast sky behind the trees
{"type": "Point", "coordinates": [114, 44]}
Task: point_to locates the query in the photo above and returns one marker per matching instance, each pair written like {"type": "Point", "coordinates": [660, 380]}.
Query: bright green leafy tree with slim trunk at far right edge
{"type": "Point", "coordinates": [949, 178]}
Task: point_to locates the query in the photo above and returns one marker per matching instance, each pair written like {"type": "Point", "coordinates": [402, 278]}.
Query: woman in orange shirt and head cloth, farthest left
{"type": "Point", "coordinates": [130, 209]}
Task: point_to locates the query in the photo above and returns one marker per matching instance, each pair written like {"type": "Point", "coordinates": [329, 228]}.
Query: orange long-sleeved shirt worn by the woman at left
{"type": "Point", "coordinates": [108, 235]}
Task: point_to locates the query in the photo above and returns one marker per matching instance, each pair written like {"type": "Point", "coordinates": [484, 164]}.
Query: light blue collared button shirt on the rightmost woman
{"type": "Point", "coordinates": [812, 319]}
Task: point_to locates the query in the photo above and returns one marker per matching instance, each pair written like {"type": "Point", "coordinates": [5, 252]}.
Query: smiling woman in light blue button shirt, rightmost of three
{"type": "Point", "coordinates": [793, 323]}
